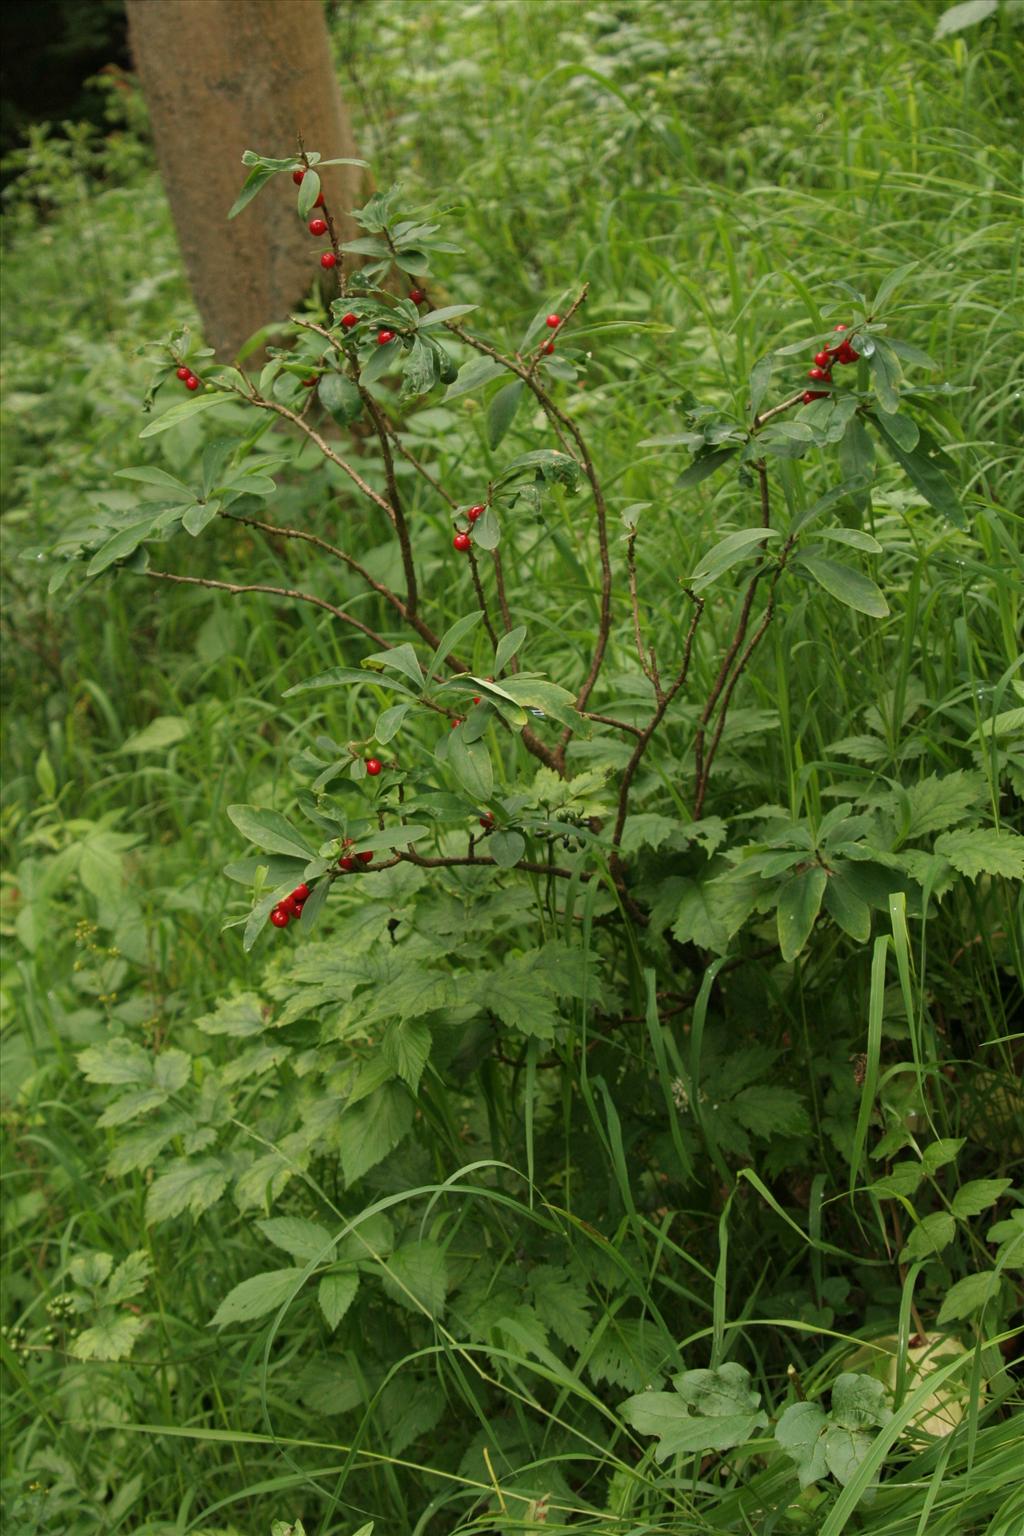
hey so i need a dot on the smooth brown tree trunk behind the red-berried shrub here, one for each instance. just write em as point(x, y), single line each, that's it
point(222, 78)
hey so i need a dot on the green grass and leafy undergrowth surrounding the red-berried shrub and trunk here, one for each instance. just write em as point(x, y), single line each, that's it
point(656, 1208)
